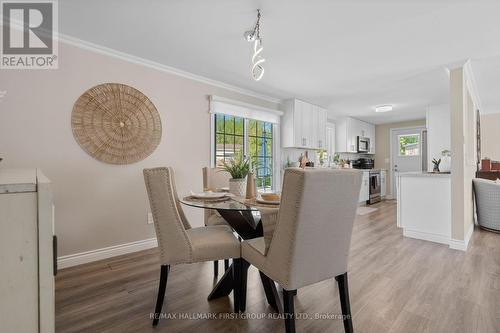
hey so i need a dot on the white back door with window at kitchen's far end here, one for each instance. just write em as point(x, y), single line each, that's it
point(408, 152)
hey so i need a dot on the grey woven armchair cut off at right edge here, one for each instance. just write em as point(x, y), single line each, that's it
point(487, 193)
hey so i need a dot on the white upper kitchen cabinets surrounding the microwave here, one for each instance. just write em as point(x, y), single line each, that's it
point(347, 131)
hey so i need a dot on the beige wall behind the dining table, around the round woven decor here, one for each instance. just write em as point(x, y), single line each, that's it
point(97, 204)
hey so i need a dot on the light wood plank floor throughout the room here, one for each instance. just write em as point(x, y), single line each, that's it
point(396, 285)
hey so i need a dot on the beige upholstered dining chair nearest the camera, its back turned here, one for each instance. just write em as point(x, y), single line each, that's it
point(312, 236)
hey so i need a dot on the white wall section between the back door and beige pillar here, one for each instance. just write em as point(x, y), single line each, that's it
point(438, 132)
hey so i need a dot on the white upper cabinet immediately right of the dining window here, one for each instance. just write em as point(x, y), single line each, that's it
point(303, 125)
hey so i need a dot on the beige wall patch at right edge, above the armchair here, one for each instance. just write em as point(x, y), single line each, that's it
point(490, 136)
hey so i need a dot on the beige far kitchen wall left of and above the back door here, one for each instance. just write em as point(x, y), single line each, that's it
point(382, 146)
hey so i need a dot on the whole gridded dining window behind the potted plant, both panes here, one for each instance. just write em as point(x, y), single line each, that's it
point(251, 137)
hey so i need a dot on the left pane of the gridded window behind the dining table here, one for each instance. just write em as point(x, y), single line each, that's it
point(229, 137)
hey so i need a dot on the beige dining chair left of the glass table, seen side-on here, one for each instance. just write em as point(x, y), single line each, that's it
point(177, 241)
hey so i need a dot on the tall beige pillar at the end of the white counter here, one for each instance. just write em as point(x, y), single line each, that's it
point(463, 143)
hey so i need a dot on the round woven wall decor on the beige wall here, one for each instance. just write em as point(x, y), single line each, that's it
point(116, 124)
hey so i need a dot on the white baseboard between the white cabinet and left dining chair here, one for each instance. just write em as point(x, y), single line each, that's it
point(104, 253)
